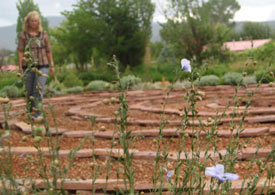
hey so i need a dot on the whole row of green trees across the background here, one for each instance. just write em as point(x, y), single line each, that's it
point(95, 30)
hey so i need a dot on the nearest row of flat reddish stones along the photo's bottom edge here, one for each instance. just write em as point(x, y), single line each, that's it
point(114, 185)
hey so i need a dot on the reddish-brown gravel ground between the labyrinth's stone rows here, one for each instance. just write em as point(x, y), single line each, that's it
point(155, 101)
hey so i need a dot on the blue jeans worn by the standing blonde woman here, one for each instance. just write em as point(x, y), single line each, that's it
point(35, 87)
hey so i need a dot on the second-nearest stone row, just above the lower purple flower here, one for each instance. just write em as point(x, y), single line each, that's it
point(245, 154)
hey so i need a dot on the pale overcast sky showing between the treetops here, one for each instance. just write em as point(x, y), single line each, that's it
point(251, 10)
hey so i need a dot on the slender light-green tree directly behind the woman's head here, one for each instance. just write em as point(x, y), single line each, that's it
point(24, 7)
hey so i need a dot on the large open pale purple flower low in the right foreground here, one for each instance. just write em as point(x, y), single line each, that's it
point(218, 172)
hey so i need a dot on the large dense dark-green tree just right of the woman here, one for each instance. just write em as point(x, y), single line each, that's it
point(110, 27)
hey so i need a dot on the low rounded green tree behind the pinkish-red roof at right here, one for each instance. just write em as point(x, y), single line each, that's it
point(256, 30)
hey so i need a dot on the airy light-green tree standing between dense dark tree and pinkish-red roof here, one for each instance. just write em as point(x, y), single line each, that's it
point(196, 25)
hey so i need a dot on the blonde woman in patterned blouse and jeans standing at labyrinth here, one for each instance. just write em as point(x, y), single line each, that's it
point(42, 58)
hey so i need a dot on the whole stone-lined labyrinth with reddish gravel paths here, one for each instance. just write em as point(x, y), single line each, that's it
point(224, 126)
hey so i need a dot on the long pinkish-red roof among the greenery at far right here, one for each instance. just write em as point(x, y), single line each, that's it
point(243, 45)
